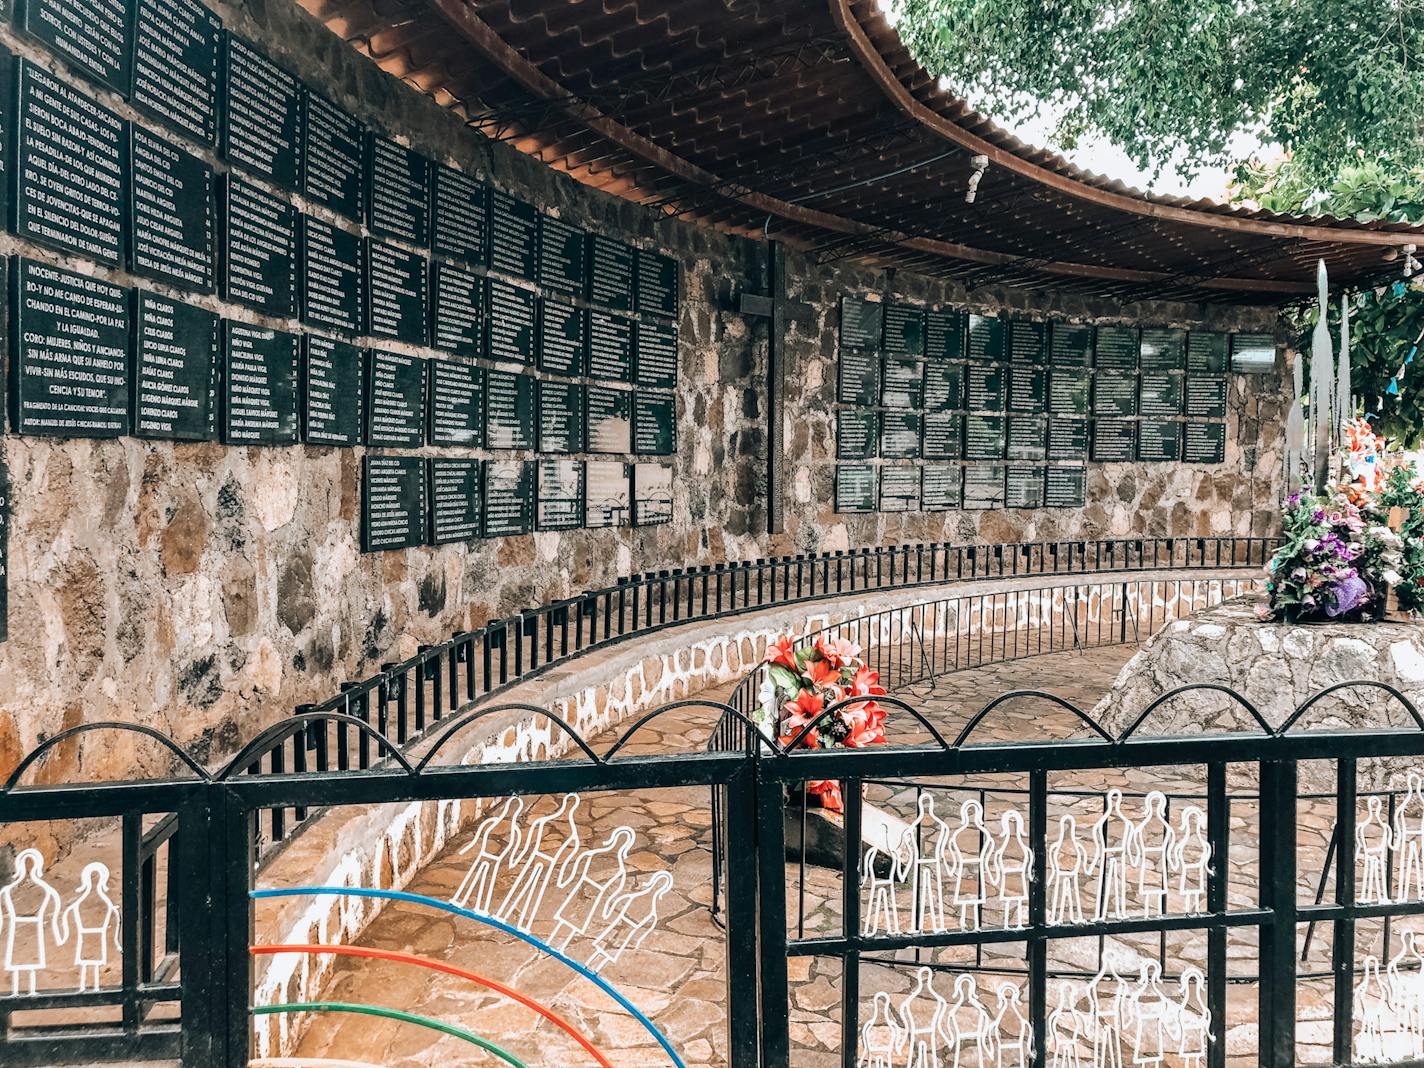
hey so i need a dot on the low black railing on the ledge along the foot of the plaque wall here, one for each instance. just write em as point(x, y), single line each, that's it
point(407, 700)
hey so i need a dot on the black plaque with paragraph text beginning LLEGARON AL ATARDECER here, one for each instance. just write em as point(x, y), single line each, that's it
point(69, 167)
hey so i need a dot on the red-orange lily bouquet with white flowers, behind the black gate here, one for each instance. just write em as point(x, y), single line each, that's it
point(802, 683)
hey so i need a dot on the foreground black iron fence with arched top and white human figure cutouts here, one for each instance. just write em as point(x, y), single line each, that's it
point(184, 988)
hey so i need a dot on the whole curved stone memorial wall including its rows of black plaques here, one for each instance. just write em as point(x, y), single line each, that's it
point(303, 374)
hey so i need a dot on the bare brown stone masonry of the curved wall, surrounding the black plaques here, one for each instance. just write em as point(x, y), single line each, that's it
point(206, 590)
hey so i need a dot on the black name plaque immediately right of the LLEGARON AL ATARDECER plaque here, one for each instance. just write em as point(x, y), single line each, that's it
point(170, 214)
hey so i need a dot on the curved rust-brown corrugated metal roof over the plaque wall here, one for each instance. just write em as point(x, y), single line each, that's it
point(811, 119)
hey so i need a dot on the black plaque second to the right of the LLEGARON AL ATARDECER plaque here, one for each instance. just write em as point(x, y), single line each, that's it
point(260, 250)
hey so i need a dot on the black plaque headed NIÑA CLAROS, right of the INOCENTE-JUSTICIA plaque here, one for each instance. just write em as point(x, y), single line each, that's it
point(176, 371)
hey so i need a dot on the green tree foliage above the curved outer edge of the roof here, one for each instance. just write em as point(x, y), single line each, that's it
point(1174, 80)
